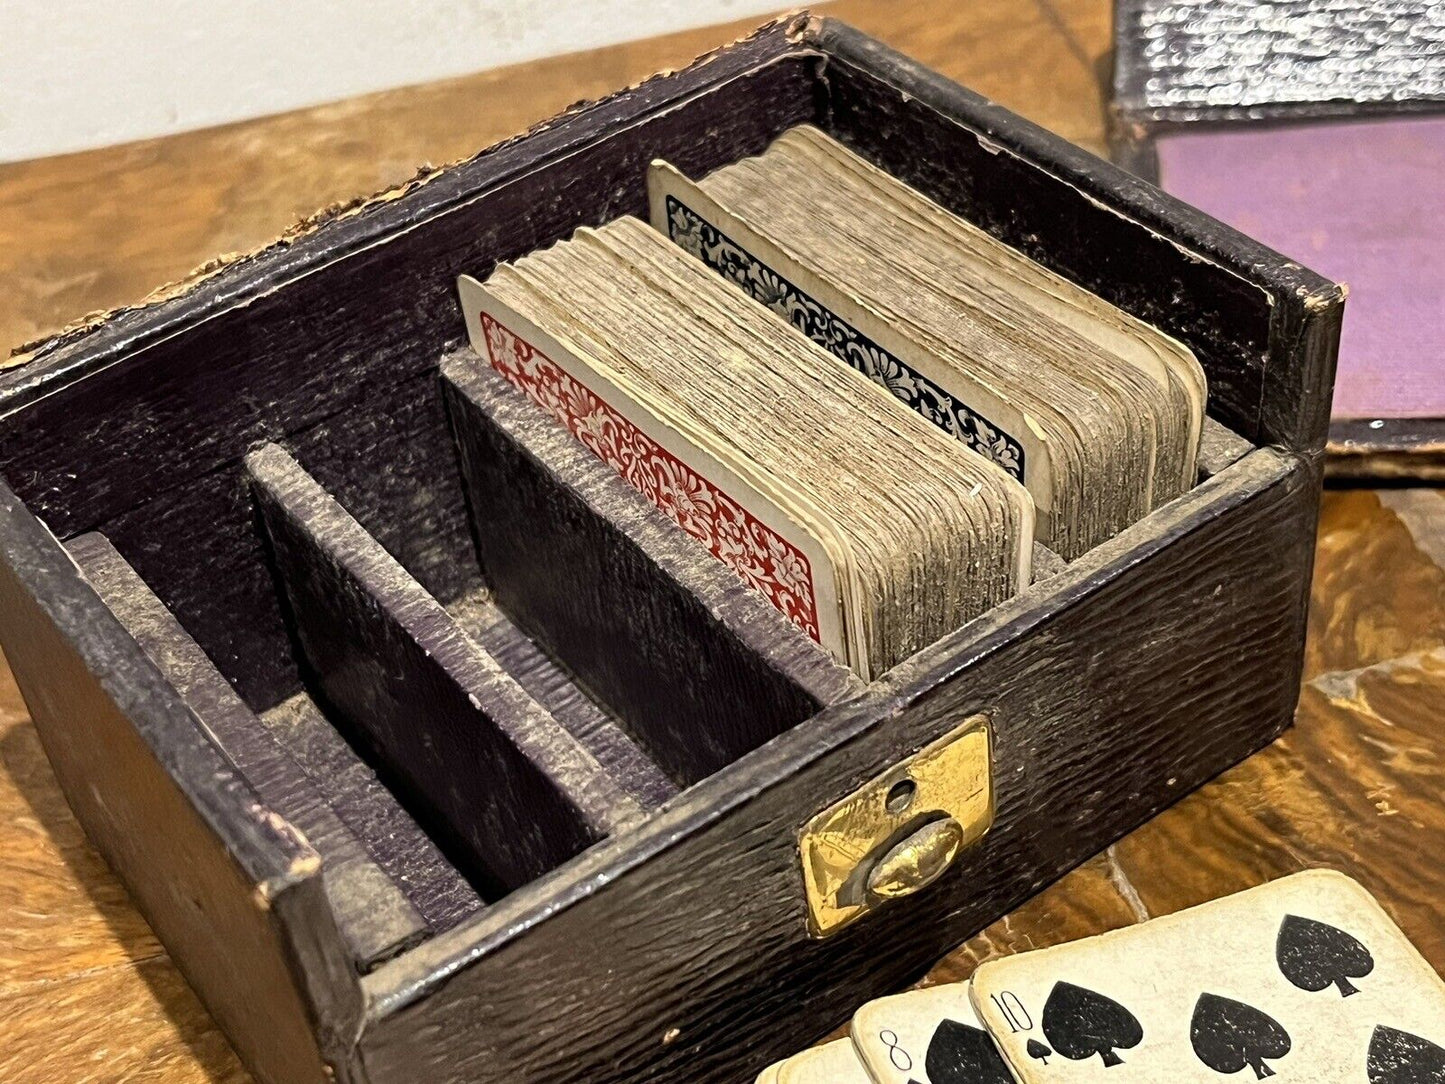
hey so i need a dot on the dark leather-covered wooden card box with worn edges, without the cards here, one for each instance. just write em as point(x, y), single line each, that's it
point(268, 551)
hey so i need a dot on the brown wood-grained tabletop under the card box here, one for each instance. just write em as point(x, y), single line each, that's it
point(86, 991)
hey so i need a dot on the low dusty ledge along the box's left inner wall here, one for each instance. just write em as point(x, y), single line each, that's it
point(374, 914)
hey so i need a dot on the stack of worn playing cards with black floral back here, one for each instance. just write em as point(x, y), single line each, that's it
point(1095, 411)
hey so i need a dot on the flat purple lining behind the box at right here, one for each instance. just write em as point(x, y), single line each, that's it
point(1358, 202)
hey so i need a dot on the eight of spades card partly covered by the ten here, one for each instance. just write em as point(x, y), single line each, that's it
point(927, 1037)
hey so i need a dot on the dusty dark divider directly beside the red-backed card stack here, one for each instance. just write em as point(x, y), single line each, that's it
point(697, 666)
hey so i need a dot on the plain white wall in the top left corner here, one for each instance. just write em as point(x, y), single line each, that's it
point(79, 74)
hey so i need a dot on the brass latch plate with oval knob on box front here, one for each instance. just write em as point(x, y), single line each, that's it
point(900, 832)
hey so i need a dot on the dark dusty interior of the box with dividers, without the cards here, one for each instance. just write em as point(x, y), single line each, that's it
point(431, 631)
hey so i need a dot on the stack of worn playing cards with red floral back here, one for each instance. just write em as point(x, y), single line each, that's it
point(868, 527)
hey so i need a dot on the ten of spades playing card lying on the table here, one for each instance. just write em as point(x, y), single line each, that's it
point(1303, 979)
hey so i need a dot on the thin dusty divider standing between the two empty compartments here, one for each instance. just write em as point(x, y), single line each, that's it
point(499, 784)
